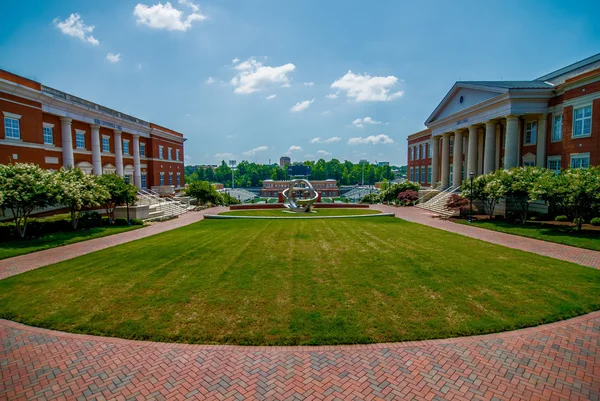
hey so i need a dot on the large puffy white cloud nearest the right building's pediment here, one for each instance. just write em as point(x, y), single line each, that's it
point(365, 88)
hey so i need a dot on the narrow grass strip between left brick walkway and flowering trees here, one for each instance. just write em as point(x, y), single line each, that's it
point(9, 249)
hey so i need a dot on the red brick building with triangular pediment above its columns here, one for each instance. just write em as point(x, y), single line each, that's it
point(481, 126)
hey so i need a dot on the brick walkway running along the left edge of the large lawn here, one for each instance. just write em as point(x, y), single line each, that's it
point(19, 264)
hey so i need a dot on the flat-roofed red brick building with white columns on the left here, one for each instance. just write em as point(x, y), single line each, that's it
point(51, 128)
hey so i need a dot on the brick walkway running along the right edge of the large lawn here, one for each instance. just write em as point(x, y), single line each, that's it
point(567, 253)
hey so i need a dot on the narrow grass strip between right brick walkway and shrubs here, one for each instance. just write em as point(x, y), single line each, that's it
point(560, 234)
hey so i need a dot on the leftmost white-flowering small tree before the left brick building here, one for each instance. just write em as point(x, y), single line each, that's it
point(24, 188)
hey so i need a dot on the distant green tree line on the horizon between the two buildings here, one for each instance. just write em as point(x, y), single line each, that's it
point(249, 174)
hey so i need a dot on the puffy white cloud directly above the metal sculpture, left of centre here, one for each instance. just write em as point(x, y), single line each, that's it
point(254, 76)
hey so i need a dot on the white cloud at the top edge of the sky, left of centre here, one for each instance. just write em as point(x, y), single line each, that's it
point(167, 17)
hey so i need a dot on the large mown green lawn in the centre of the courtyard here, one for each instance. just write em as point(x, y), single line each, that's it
point(300, 282)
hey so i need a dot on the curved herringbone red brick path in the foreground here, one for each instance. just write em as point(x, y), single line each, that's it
point(555, 361)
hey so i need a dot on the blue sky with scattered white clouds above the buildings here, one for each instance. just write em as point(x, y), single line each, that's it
point(209, 69)
